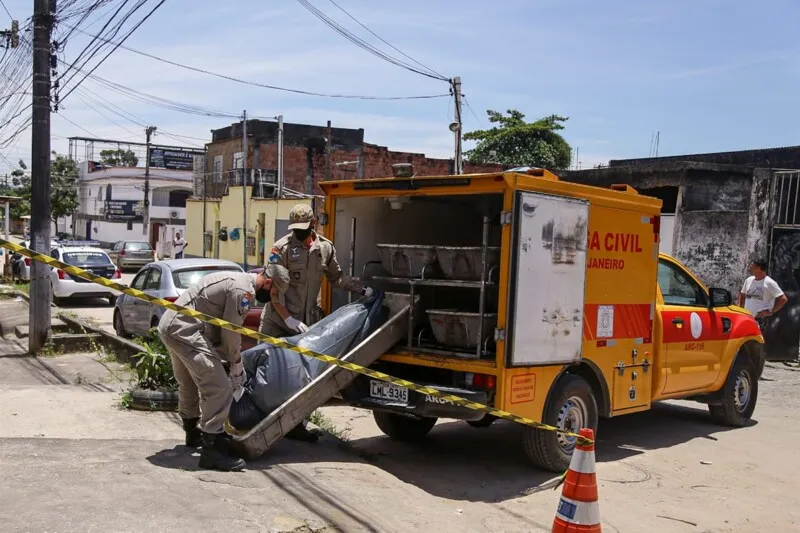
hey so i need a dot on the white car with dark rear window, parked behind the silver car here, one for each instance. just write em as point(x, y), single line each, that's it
point(88, 258)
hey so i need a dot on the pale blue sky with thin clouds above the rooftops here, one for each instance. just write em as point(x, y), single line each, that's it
point(709, 75)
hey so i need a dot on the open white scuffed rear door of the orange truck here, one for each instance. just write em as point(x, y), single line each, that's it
point(548, 278)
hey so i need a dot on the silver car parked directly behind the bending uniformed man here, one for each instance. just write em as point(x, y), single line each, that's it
point(162, 279)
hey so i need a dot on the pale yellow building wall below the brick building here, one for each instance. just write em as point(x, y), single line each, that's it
point(228, 212)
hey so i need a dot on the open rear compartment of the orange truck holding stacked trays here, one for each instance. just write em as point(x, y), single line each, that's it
point(444, 251)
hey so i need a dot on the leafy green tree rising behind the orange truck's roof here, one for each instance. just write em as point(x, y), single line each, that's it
point(514, 142)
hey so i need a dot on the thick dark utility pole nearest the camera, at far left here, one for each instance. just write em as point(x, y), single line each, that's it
point(40, 175)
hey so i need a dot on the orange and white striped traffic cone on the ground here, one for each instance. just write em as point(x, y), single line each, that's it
point(578, 509)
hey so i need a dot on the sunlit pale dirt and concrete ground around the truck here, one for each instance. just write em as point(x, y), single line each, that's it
point(71, 460)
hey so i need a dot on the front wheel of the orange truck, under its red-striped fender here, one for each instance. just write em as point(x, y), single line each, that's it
point(739, 396)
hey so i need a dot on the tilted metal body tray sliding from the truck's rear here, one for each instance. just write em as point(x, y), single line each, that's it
point(255, 442)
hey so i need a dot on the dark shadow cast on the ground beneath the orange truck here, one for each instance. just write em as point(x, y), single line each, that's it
point(460, 462)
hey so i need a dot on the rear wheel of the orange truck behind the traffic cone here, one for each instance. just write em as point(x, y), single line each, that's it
point(572, 406)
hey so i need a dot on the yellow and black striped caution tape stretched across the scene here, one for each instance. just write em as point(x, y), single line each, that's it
point(457, 400)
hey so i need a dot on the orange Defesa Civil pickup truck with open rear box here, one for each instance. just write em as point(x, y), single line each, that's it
point(540, 297)
